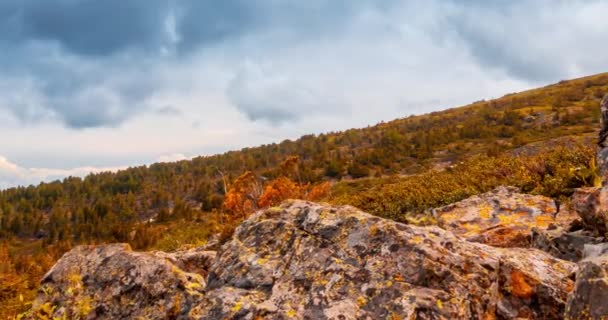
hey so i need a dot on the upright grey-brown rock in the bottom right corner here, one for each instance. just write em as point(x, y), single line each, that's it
point(589, 300)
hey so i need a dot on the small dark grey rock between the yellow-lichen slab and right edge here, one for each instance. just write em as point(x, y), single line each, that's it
point(562, 244)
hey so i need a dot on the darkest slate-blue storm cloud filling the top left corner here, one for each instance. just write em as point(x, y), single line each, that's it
point(85, 27)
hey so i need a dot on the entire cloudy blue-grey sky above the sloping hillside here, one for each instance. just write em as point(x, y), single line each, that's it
point(89, 85)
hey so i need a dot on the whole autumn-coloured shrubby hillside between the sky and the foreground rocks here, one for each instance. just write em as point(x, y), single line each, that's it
point(396, 169)
